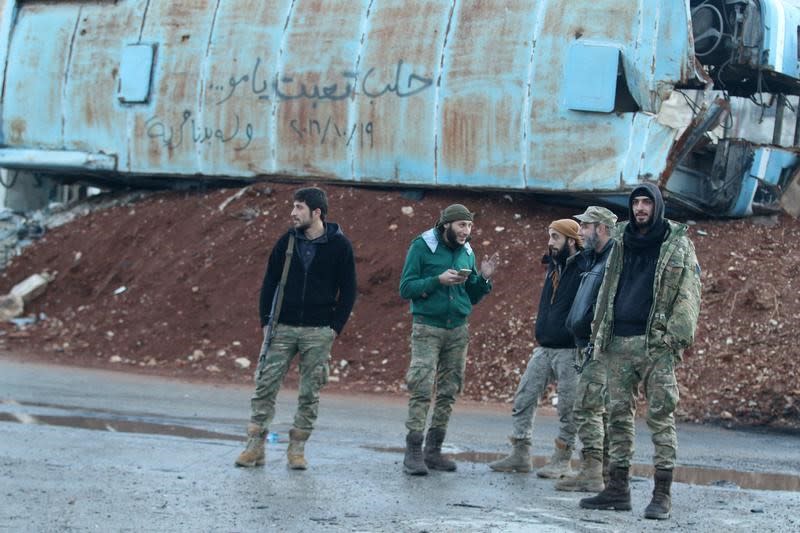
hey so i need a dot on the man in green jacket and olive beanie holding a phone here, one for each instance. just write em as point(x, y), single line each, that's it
point(440, 279)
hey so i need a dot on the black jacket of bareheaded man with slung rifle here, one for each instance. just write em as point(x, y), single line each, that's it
point(323, 296)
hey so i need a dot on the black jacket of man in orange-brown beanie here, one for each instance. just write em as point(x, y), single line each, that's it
point(551, 330)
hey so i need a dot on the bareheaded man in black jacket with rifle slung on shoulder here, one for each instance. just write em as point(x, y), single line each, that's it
point(318, 296)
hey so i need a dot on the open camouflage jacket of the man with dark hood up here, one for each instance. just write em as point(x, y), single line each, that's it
point(676, 295)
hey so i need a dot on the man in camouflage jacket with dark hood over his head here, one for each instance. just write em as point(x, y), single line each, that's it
point(646, 315)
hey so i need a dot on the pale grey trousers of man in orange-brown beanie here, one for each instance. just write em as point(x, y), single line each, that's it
point(547, 365)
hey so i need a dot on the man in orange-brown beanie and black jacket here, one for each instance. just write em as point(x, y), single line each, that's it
point(552, 360)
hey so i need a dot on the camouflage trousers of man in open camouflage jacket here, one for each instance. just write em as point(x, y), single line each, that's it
point(627, 365)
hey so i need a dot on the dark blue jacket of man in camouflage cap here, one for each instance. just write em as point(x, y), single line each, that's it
point(579, 319)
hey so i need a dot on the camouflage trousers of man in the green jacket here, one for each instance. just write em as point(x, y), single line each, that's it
point(438, 360)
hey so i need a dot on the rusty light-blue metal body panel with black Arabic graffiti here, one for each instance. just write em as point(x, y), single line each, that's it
point(422, 92)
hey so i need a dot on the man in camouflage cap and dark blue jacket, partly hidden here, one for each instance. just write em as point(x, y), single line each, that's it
point(589, 413)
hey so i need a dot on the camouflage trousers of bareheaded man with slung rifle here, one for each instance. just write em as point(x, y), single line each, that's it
point(313, 344)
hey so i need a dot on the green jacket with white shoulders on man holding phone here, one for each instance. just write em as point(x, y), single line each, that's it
point(431, 302)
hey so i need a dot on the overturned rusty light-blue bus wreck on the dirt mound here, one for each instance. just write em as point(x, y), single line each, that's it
point(583, 98)
